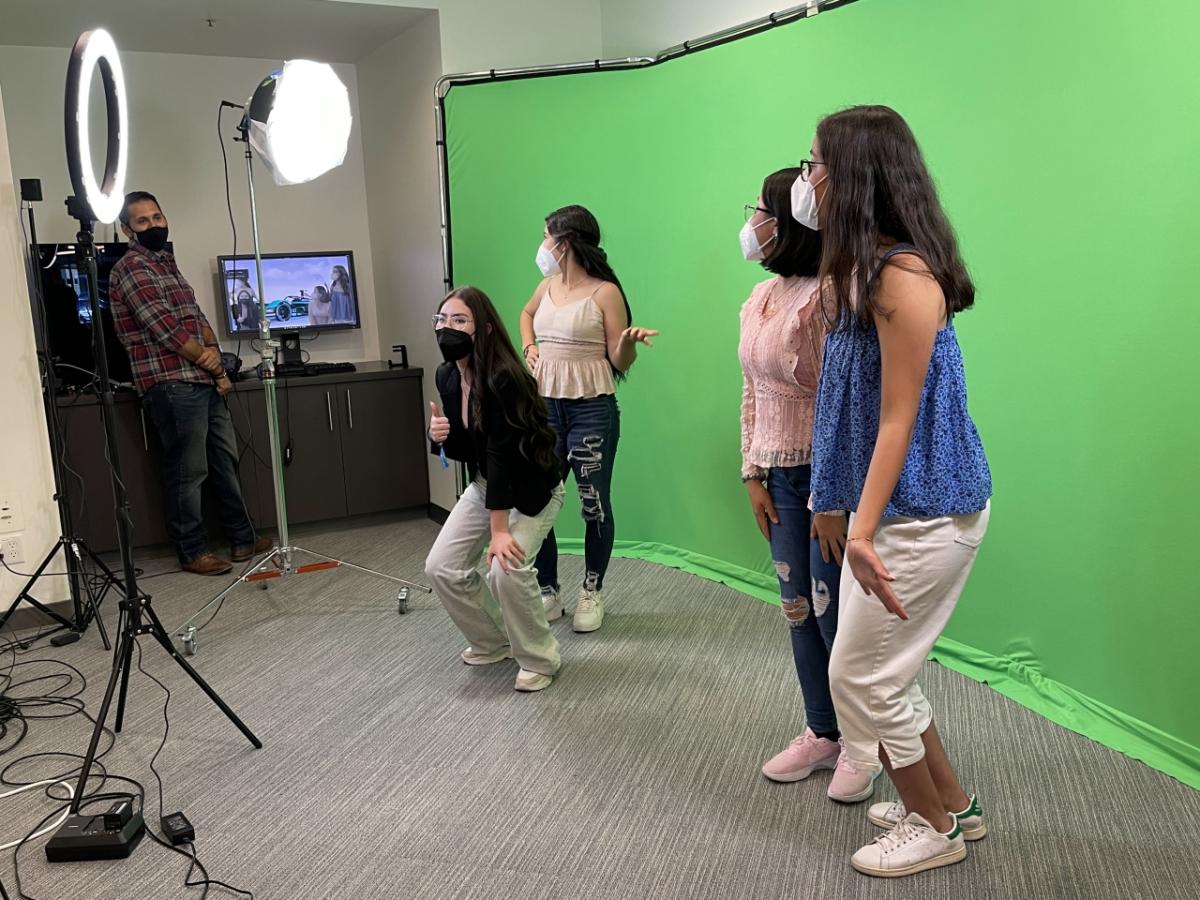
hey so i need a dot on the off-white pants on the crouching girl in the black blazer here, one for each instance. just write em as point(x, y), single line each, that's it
point(507, 611)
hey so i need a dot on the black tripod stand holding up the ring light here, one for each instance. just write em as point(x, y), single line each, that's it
point(137, 616)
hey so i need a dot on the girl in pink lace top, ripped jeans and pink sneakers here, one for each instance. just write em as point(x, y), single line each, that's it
point(783, 335)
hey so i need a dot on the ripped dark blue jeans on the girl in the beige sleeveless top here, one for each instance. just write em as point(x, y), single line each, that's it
point(589, 431)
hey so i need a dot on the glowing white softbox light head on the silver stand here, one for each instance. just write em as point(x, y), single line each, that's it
point(299, 122)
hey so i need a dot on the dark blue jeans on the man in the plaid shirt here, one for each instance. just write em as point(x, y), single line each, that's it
point(197, 445)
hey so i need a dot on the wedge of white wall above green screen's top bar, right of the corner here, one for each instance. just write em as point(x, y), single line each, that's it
point(643, 28)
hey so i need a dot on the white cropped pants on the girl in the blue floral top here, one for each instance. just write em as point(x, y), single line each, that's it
point(877, 656)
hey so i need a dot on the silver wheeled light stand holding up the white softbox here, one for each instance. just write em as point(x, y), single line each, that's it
point(280, 562)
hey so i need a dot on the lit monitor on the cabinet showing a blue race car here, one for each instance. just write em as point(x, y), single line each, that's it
point(303, 292)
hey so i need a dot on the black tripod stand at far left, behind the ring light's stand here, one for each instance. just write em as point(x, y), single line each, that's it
point(76, 551)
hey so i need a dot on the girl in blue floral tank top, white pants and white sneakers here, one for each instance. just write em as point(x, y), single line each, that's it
point(895, 445)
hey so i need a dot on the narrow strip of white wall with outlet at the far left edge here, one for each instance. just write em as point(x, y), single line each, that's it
point(26, 477)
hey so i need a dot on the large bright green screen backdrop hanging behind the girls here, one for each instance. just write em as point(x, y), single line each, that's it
point(1065, 142)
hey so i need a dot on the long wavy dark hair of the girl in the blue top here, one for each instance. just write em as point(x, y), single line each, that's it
point(880, 188)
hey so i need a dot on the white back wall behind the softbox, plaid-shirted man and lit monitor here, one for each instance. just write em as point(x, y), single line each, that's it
point(175, 154)
